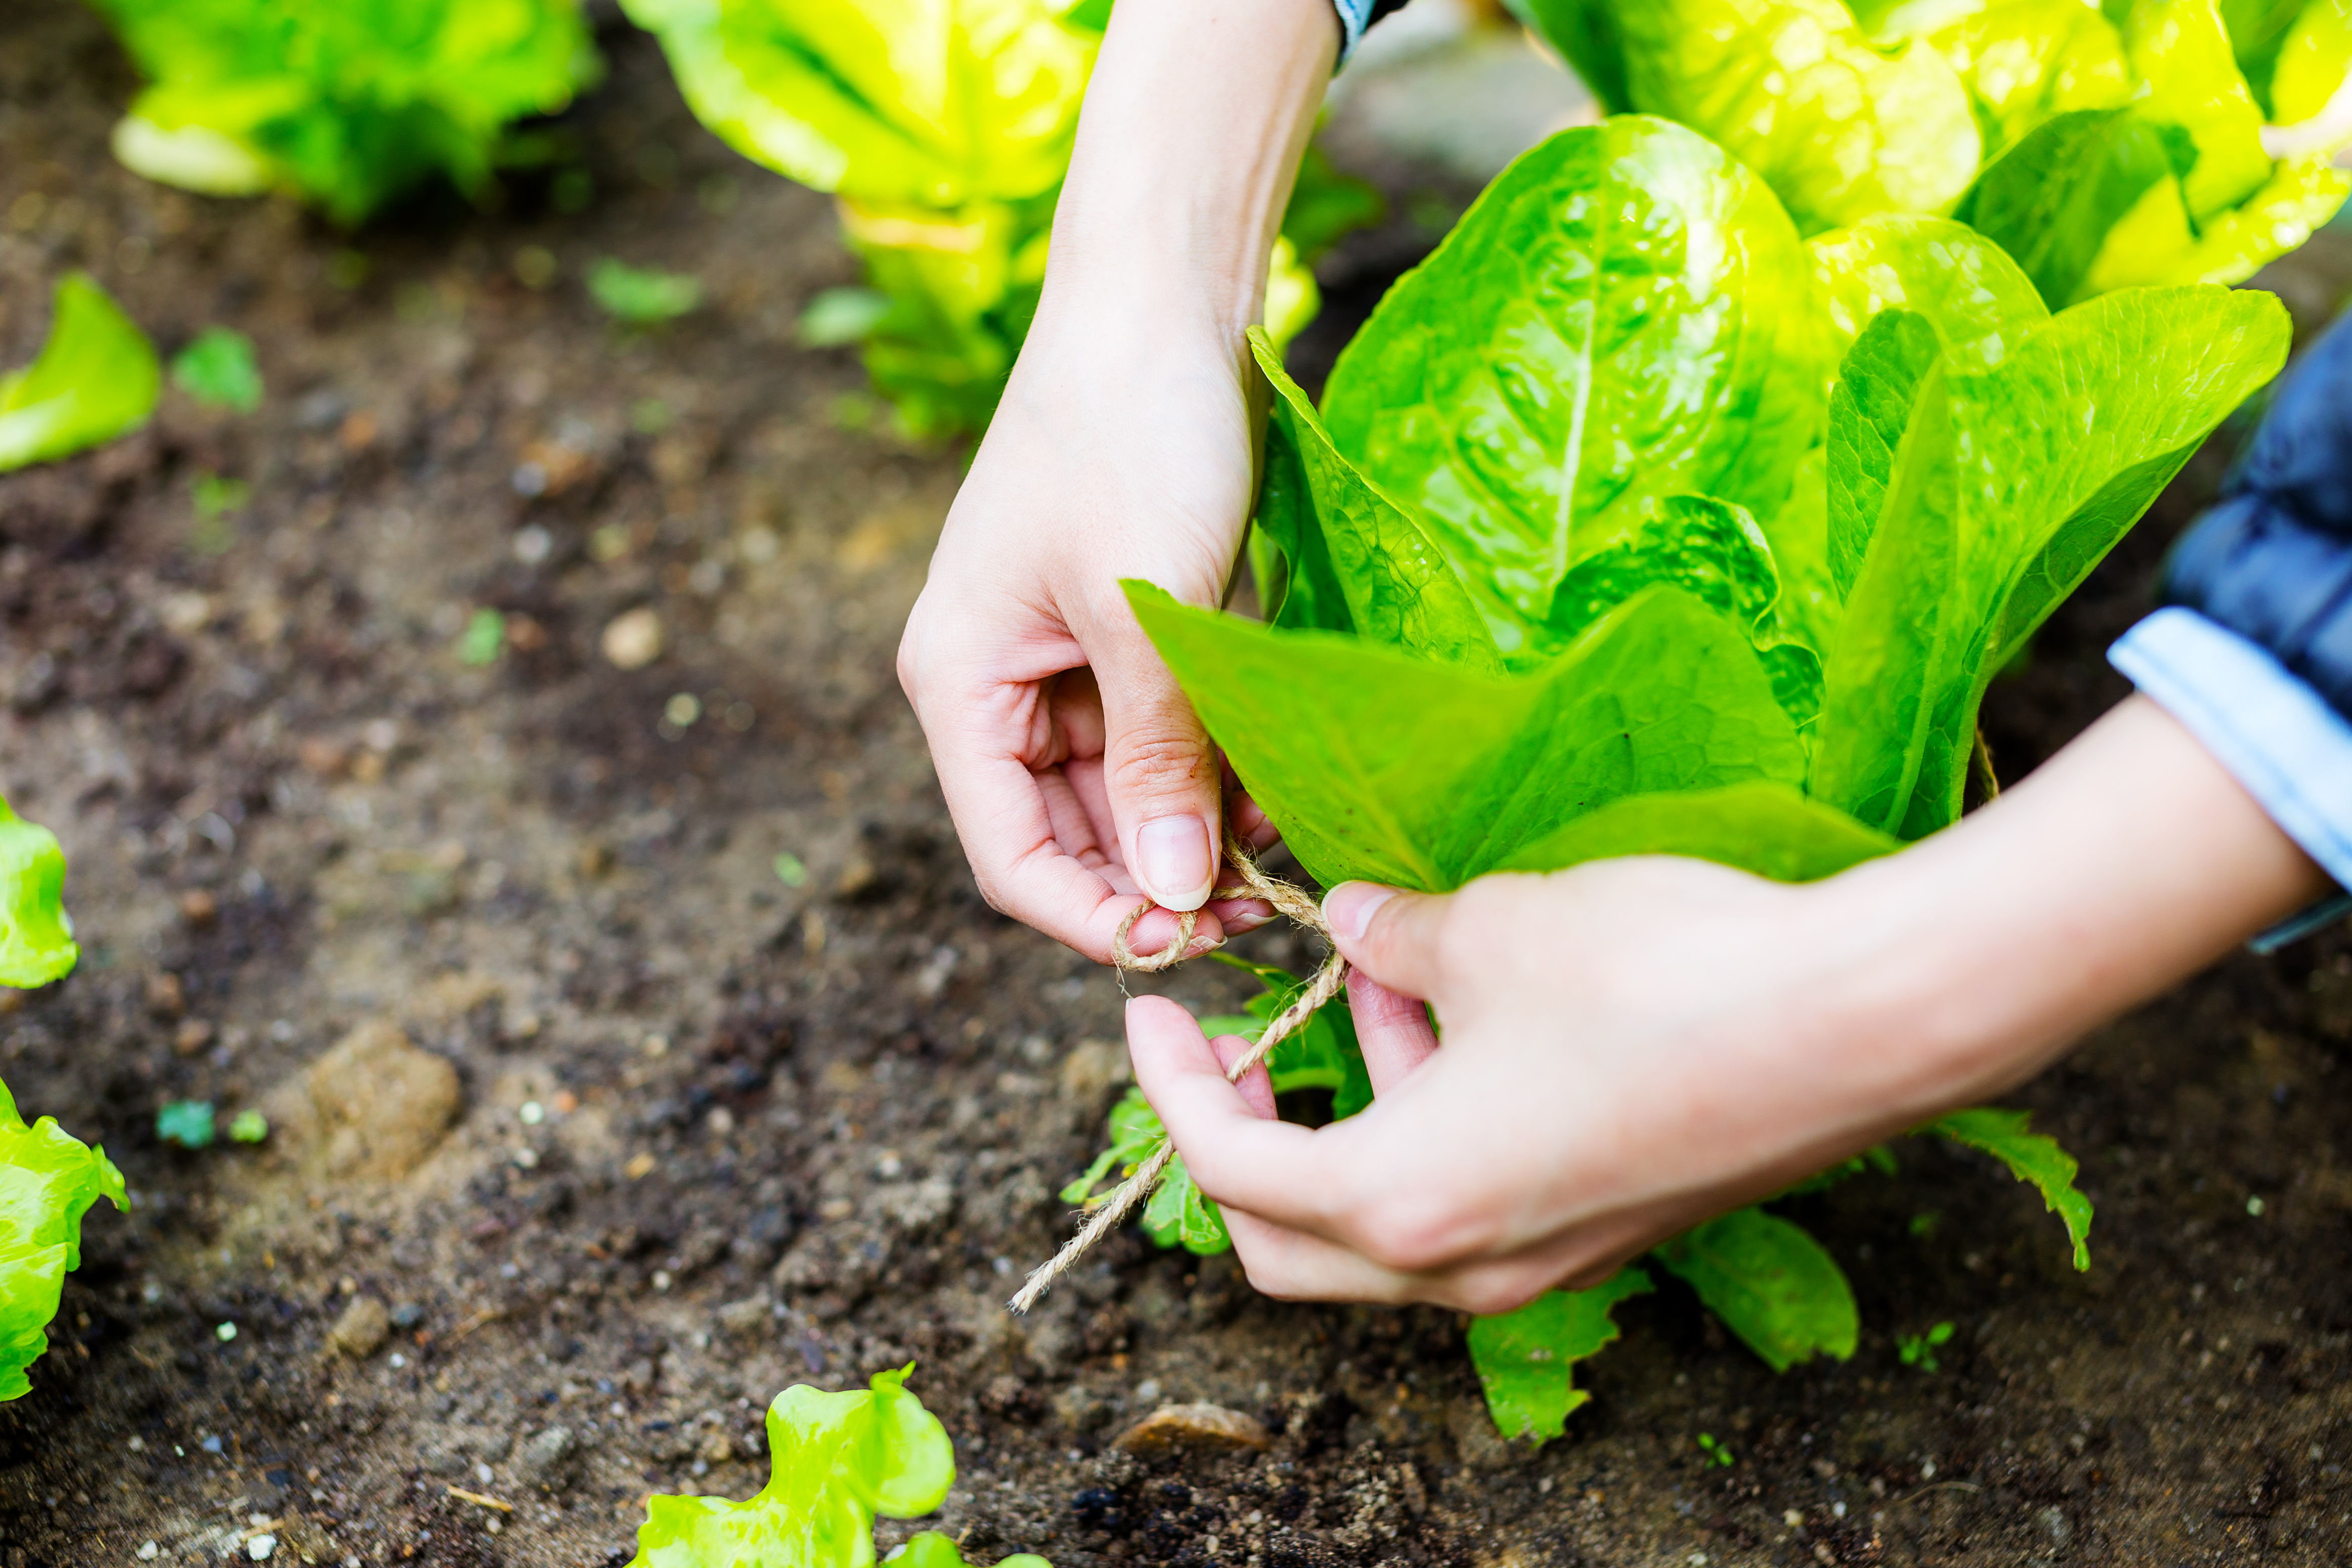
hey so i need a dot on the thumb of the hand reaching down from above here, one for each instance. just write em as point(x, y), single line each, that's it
point(1158, 770)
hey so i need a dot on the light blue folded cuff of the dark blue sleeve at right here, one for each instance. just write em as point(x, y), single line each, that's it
point(2273, 732)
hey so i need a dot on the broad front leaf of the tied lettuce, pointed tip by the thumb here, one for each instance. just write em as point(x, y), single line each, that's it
point(1426, 777)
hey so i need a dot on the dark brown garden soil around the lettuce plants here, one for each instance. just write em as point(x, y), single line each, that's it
point(592, 1132)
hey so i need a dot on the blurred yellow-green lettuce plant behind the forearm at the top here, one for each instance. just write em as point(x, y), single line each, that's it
point(944, 130)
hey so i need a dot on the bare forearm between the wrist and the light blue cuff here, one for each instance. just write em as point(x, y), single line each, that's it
point(2123, 866)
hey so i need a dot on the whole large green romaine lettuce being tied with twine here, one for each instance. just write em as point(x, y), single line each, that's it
point(1633, 523)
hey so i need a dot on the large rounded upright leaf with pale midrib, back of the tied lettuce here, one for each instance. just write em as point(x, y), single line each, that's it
point(1624, 316)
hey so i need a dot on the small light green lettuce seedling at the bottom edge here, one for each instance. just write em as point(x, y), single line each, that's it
point(838, 1463)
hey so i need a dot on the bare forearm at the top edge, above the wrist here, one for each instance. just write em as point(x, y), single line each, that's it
point(1191, 138)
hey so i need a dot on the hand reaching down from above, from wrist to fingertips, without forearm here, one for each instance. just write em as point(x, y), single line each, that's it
point(1071, 760)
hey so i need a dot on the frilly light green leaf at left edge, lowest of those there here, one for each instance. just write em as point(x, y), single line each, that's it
point(48, 1184)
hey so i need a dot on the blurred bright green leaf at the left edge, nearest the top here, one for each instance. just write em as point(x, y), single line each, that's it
point(95, 380)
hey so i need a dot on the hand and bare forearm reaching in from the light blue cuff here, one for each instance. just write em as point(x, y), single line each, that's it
point(1633, 1047)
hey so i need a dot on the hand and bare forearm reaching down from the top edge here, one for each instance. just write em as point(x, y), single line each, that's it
point(1074, 765)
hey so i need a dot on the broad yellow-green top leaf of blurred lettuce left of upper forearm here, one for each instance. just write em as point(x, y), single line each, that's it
point(886, 102)
